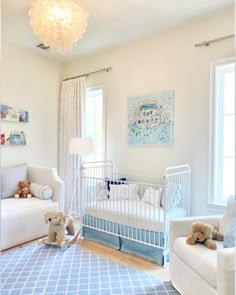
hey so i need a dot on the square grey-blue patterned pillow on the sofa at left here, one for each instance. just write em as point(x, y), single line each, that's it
point(9, 179)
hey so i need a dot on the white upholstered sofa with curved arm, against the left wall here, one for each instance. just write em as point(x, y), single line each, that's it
point(22, 220)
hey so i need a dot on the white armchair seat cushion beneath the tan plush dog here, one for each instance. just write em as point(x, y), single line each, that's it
point(201, 259)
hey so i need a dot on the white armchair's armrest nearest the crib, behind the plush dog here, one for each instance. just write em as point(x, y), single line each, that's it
point(182, 227)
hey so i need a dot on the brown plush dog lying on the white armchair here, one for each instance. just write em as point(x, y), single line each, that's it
point(205, 233)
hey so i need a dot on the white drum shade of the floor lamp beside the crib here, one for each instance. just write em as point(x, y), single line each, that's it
point(81, 146)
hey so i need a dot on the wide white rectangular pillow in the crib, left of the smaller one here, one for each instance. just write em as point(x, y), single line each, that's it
point(124, 192)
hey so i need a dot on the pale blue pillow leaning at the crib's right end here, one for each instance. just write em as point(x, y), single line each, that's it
point(172, 196)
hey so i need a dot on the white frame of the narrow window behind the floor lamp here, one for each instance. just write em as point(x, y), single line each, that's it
point(104, 139)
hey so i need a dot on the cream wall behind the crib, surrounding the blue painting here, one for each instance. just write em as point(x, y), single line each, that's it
point(166, 61)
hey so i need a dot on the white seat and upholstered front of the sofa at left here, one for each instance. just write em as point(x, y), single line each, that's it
point(22, 220)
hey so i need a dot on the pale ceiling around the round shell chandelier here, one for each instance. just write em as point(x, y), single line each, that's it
point(111, 22)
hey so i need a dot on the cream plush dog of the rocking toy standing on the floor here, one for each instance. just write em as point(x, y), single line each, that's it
point(58, 223)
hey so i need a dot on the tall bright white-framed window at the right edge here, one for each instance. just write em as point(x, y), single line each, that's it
point(222, 132)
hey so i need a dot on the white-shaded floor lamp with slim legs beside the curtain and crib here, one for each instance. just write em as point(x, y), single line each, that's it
point(79, 146)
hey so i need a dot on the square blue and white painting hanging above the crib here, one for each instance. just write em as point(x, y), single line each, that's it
point(150, 118)
